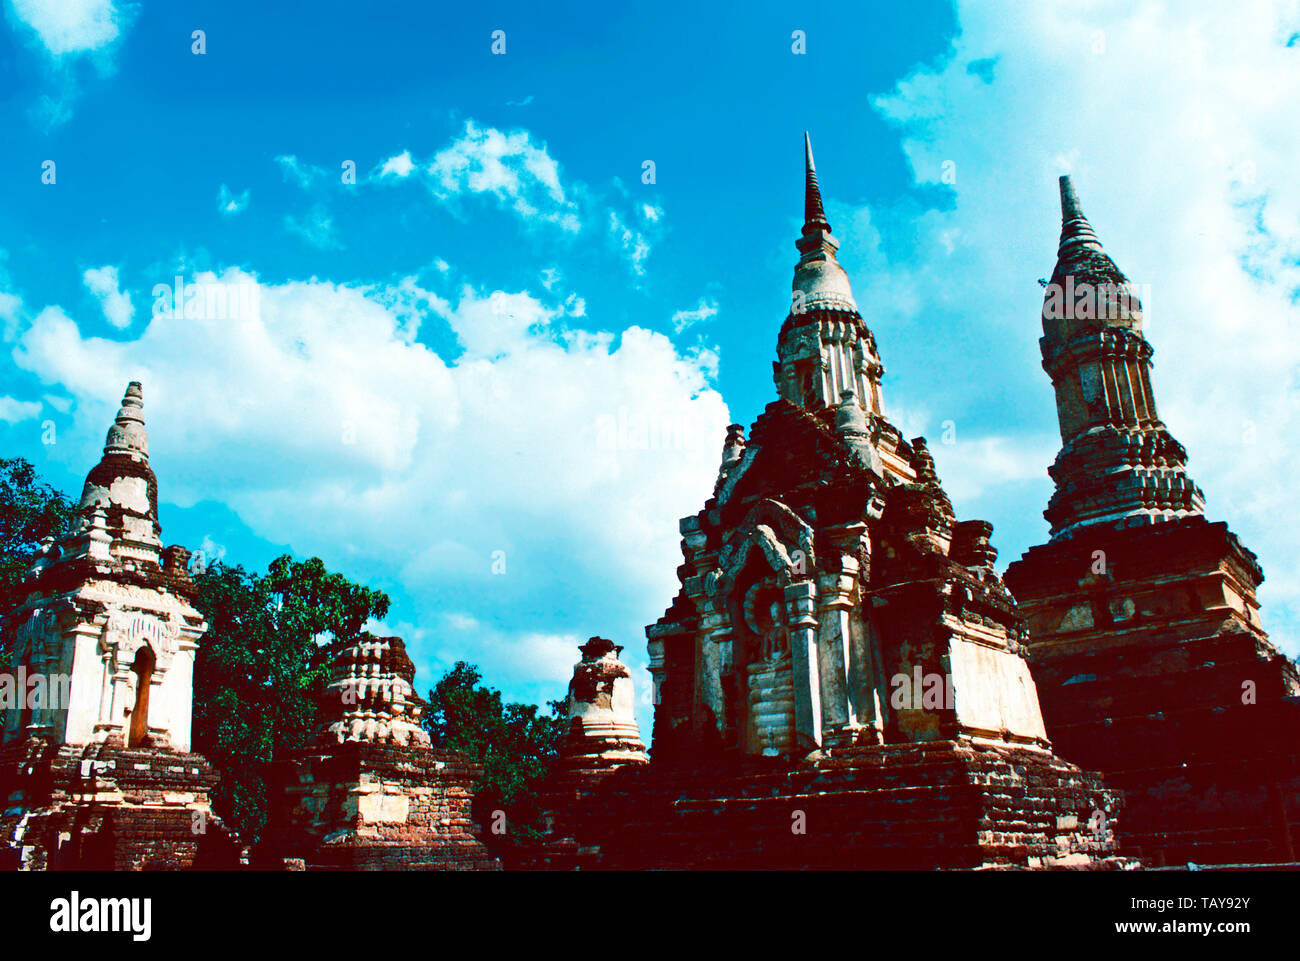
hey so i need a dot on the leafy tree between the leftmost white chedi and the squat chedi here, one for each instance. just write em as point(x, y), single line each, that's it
point(263, 666)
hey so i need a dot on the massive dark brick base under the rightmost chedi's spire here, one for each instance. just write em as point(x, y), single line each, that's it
point(1159, 674)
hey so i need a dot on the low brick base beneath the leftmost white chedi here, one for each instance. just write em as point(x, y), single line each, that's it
point(107, 808)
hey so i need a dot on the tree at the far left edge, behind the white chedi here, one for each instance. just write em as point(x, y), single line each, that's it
point(31, 510)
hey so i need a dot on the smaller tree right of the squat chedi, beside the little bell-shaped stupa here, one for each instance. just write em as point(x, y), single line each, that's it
point(513, 742)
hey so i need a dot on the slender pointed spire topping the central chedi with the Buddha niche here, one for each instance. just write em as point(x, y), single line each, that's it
point(825, 349)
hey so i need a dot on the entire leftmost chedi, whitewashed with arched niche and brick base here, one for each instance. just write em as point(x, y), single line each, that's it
point(96, 768)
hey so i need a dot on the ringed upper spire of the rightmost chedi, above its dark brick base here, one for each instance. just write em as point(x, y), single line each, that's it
point(1119, 464)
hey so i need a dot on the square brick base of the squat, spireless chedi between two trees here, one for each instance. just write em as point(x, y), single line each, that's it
point(374, 807)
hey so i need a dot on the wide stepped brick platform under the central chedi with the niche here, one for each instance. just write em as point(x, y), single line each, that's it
point(902, 807)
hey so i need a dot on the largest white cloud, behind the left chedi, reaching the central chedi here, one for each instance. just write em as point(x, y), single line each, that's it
point(543, 471)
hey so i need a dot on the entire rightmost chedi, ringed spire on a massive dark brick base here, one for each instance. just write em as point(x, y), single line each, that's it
point(1145, 629)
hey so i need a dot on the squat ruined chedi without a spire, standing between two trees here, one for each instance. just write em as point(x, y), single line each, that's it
point(370, 794)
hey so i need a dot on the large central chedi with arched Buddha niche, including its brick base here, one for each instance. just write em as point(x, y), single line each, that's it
point(842, 679)
